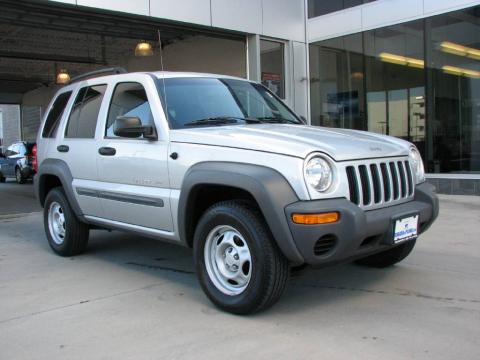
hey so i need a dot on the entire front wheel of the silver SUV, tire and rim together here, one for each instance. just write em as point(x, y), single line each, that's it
point(239, 265)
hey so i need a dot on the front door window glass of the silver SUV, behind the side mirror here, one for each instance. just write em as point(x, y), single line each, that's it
point(130, 100)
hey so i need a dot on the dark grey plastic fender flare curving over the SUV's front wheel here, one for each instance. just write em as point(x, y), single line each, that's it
point(269, 188)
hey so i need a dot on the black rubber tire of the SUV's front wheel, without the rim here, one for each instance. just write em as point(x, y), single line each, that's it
point(269, 269)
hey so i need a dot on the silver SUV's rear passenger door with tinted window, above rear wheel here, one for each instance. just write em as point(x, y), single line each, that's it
point(76, 144)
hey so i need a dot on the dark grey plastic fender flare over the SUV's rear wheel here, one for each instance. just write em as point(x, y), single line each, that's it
point(60, 169)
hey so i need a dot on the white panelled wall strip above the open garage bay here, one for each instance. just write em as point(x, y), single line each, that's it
point(284, 19)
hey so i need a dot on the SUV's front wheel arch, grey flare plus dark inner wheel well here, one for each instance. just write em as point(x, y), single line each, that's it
point(226, 180)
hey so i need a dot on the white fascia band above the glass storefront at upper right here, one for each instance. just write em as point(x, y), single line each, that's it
point(378, 14)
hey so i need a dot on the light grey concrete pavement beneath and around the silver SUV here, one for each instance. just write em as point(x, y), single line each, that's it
point(134, 298)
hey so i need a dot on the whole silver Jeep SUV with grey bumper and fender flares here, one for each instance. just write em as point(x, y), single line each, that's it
point(223, 166)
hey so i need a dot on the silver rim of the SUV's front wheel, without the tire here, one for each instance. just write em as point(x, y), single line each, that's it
point(228, 260)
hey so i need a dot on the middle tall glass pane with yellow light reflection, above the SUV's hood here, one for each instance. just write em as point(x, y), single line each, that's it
point(395, 66)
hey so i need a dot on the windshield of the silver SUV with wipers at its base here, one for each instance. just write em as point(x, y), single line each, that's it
point(212, 102)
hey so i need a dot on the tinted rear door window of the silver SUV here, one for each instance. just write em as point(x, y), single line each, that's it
point(83, 117)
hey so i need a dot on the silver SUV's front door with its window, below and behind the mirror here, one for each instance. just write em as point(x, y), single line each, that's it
point(133, 172)
